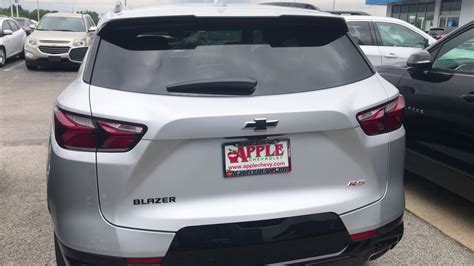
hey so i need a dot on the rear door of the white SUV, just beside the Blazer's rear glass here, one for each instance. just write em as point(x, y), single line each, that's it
point(361, 32)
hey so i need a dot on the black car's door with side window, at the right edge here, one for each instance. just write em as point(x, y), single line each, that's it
point(440, 104)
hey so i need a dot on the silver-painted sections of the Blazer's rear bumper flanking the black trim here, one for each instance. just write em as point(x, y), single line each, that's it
point(80, 225)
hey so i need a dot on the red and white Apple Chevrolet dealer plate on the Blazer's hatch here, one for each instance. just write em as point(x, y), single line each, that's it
point(257, 157)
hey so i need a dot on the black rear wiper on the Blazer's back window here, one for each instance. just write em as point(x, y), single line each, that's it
point(222, 86)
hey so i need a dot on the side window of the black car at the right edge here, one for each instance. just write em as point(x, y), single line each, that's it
point(457, 54)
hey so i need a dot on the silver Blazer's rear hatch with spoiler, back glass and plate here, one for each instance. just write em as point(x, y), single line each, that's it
point(247, 119)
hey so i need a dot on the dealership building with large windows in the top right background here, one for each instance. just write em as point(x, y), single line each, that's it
point(426, 14)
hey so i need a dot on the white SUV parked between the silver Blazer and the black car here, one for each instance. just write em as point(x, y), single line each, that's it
point(387, 40)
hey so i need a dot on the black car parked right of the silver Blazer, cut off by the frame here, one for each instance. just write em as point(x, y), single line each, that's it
point(438, 85)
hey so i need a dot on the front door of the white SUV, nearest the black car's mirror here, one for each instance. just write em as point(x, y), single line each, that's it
point(397, 42)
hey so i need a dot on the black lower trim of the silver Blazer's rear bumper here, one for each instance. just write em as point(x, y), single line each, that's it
point(313, 239)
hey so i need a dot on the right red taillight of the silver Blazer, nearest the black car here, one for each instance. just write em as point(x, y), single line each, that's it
point(384, 118)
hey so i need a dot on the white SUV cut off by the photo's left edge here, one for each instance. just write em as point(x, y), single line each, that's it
point(12, 39)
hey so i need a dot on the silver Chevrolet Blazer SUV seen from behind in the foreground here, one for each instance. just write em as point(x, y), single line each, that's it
point(225, 135)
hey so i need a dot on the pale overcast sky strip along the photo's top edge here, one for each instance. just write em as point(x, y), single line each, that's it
point(103, 5)
